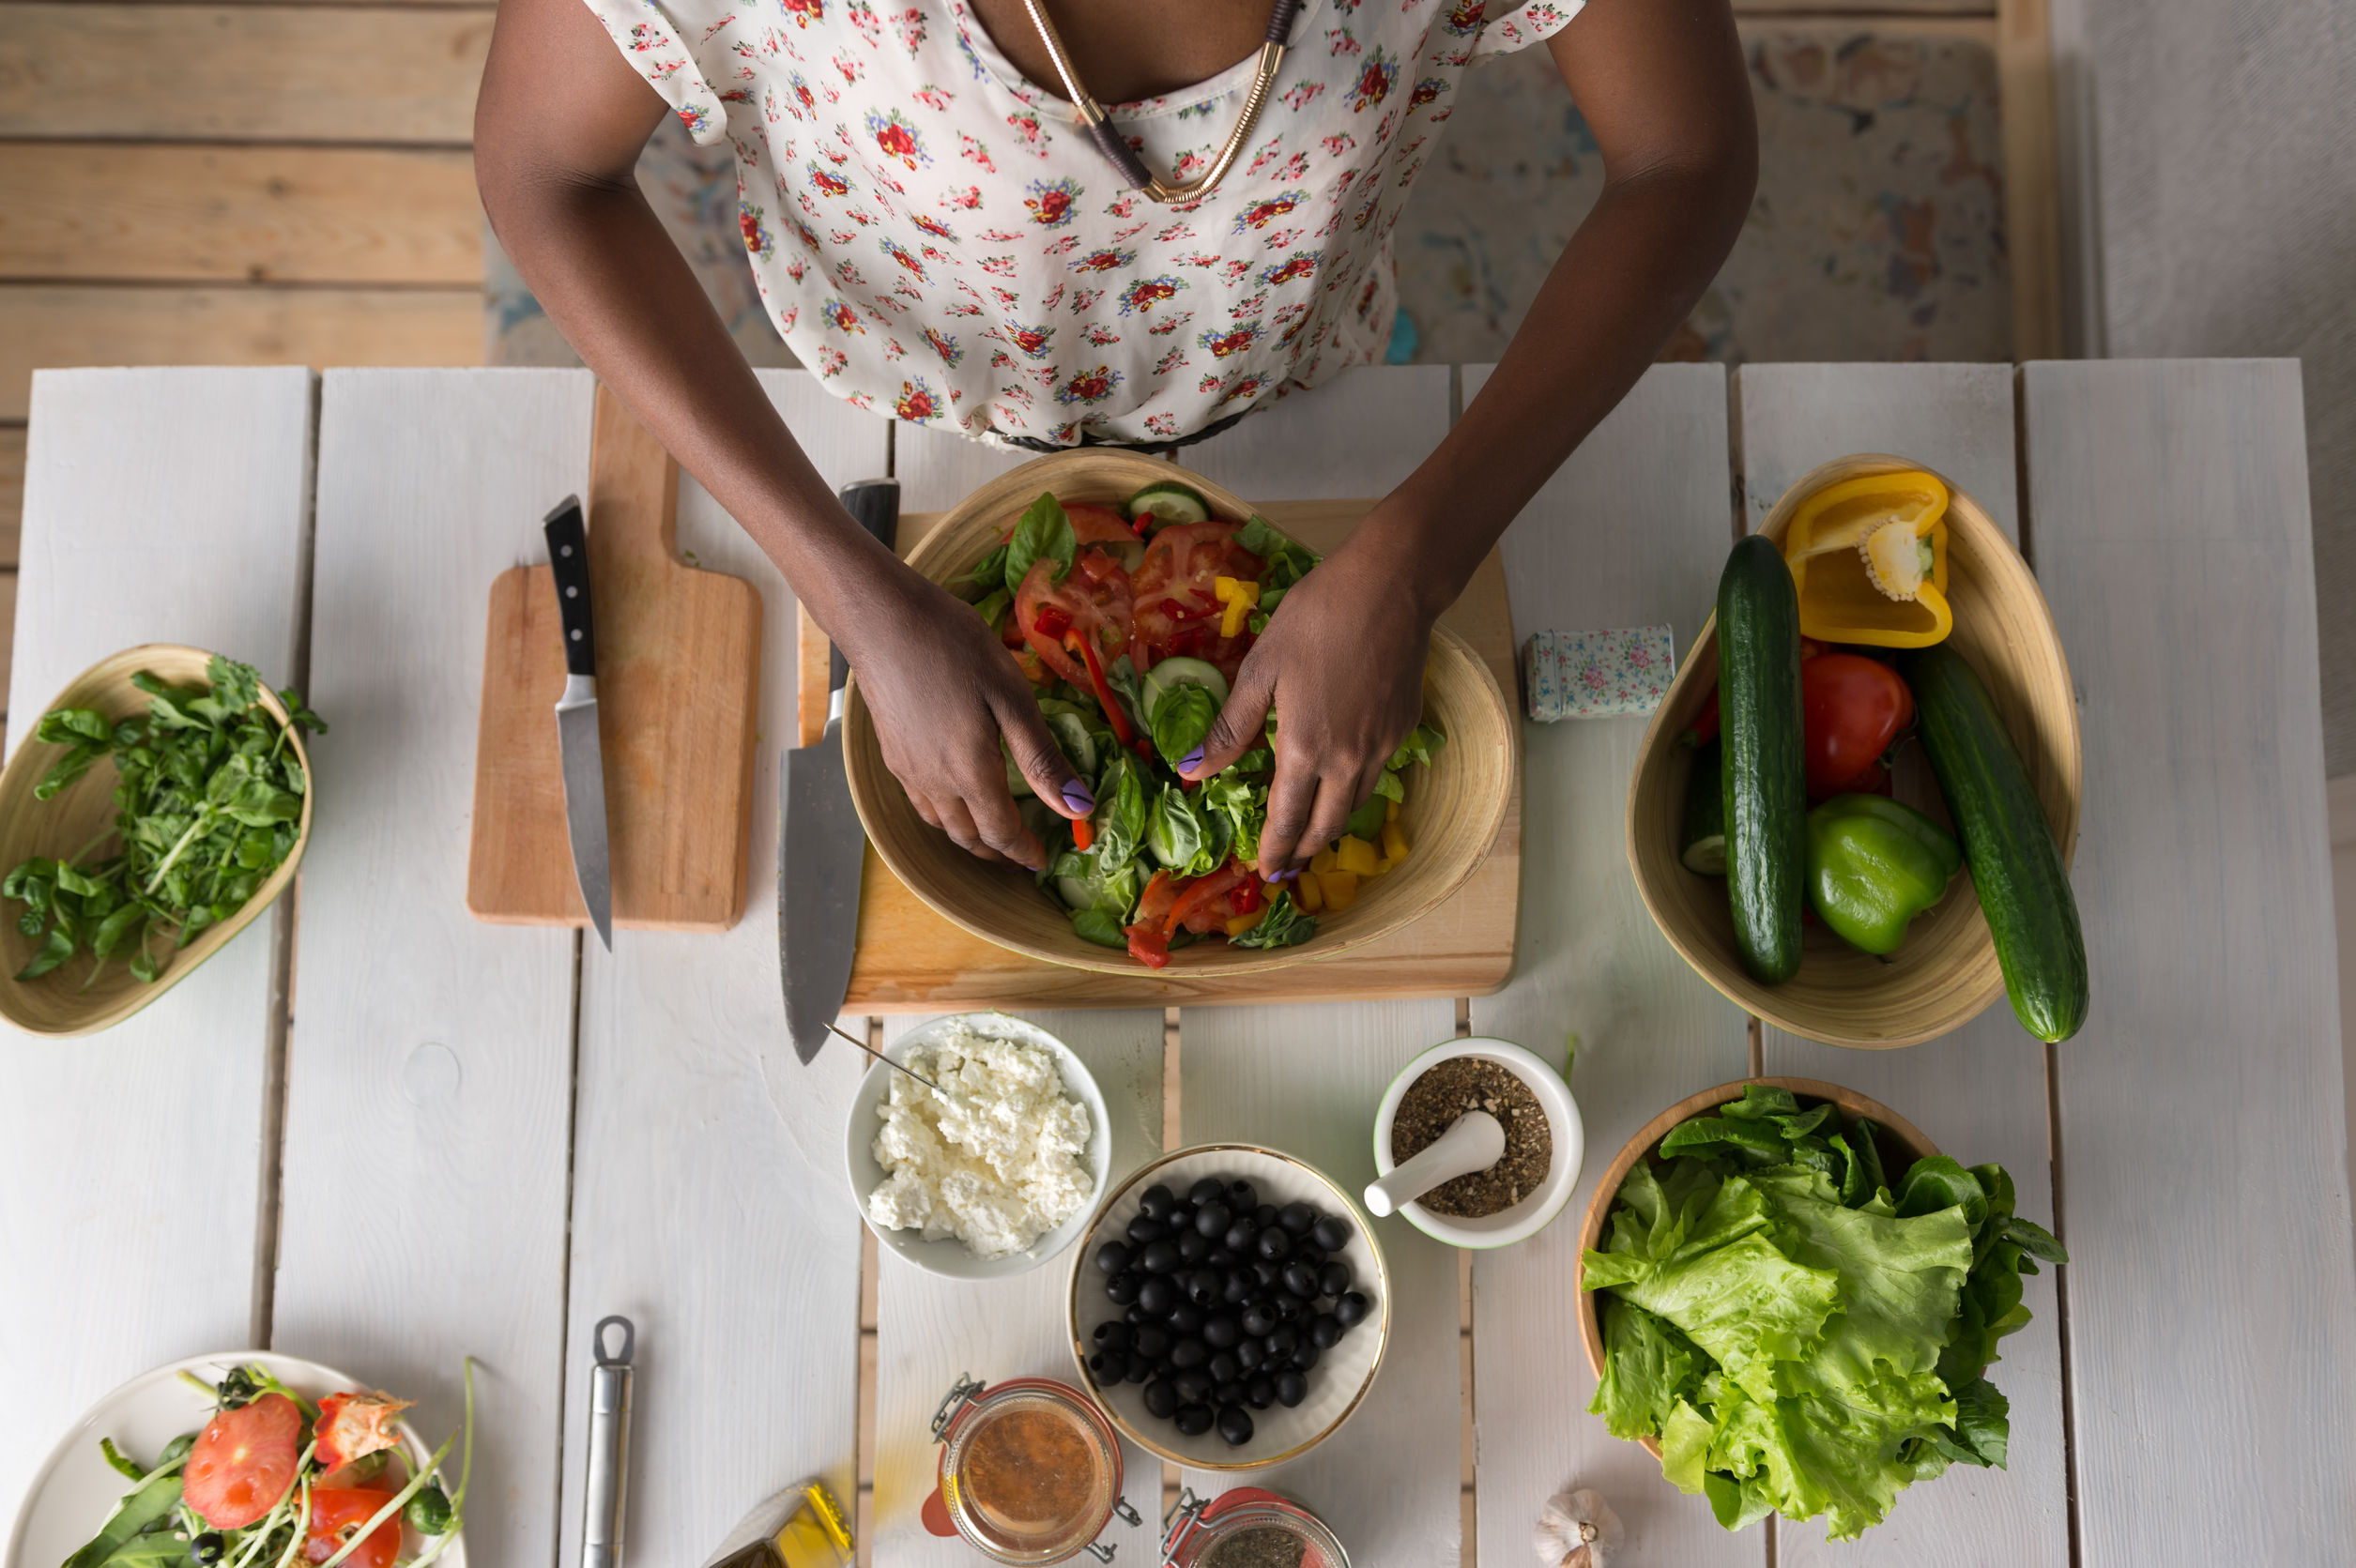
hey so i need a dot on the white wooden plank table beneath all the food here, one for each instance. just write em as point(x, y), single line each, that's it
point(385, 1136)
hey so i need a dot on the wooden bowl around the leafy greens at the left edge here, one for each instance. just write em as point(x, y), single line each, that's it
point(62, 1004)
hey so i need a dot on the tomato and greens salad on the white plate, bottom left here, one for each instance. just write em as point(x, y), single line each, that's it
point(277, 1480)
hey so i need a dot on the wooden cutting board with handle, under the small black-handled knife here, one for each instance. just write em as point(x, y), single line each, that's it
point(680, 686)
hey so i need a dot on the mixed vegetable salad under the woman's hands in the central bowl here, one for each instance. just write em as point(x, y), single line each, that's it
point(1130, 625)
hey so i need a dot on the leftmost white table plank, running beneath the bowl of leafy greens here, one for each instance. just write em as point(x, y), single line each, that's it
point(102, 1209)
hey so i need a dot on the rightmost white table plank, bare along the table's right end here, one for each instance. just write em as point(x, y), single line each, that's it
point(2213, 1298)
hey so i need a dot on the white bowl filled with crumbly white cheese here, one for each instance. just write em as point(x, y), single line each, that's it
point(993, 1176)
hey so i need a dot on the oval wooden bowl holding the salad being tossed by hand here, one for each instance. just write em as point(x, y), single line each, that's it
point(1448, 813)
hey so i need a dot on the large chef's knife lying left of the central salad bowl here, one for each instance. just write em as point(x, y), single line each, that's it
point(821, 842)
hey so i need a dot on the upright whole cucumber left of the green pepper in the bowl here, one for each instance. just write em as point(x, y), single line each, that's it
point(1766, 776)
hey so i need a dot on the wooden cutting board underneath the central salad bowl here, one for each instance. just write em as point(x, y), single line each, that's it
point(915, 962)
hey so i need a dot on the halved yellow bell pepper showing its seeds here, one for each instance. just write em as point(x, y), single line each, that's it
point(1855, 554)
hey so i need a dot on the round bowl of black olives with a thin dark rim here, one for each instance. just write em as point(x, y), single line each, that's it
point(1229, 1308)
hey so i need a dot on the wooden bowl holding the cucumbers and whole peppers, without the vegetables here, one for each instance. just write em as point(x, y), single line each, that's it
point(1945, 976)
